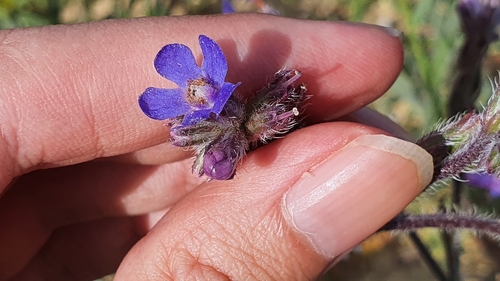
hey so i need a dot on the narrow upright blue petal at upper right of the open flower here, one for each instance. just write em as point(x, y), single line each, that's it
point(214, 62)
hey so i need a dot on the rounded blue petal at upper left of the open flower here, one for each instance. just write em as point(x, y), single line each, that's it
point(177, 63)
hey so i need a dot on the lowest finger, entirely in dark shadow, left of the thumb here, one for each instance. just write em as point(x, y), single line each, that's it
point(83, 251)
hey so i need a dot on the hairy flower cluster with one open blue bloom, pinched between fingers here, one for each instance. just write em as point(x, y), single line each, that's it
point(206, 115)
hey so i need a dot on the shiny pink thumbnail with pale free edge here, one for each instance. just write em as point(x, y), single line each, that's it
point(348, 196)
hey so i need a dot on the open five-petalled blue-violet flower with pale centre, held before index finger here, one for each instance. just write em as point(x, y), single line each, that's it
point(202, 91)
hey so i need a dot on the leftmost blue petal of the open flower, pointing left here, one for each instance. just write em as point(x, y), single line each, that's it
point(161, 104)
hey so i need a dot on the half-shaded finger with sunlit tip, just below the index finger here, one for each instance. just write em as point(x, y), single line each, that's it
point(44, 200)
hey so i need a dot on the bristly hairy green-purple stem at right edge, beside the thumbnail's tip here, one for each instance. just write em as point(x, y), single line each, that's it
point(467, 143)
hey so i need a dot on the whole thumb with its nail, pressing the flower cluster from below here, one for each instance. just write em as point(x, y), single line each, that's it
point(295, 205)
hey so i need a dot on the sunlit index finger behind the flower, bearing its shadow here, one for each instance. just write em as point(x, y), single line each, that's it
point(75, 99)
